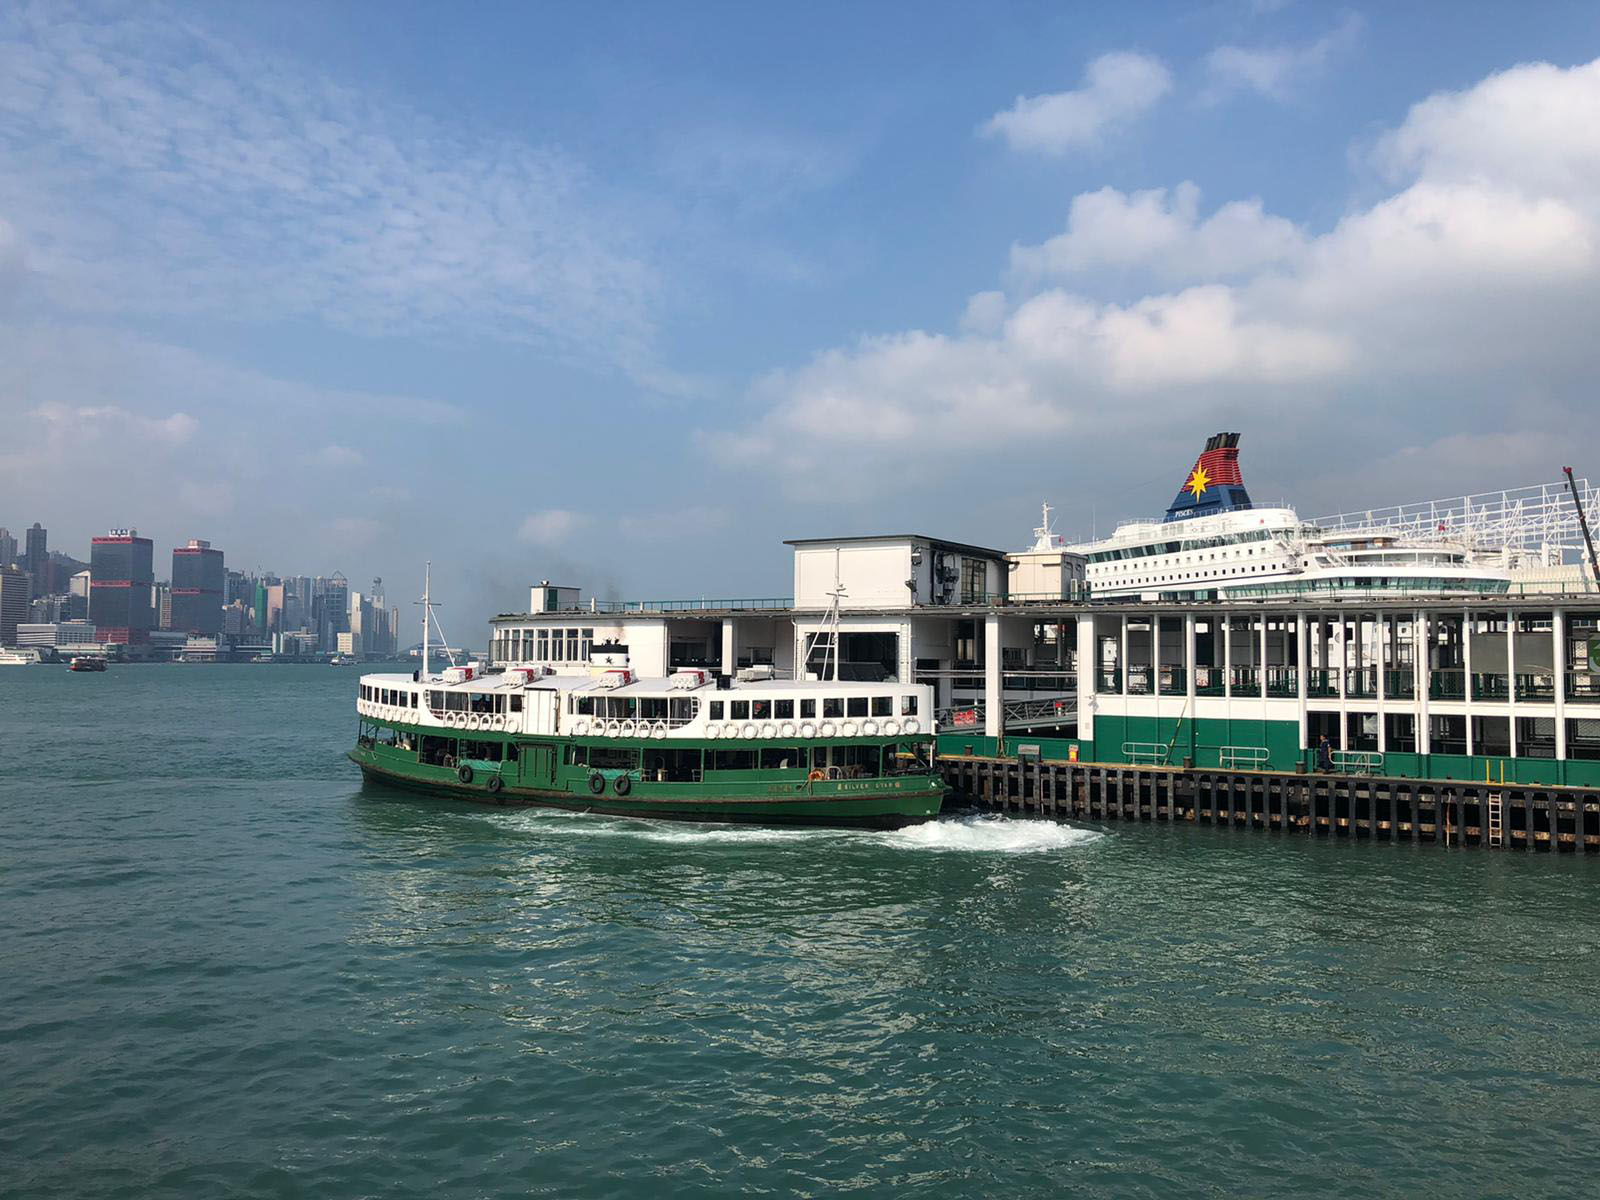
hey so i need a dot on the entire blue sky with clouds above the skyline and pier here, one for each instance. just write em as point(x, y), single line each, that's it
point(625, 295)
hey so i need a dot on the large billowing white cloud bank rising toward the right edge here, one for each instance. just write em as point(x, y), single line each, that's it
point(1434, 305)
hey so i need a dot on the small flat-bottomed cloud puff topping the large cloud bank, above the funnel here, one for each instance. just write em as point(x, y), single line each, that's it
point(1164, 233)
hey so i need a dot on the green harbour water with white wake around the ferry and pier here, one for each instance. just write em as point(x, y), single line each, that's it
point(230, 970)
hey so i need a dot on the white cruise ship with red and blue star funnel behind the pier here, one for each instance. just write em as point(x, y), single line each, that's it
point(1217, 545)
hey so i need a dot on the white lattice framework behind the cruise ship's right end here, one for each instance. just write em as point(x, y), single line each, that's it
point(1535, 526)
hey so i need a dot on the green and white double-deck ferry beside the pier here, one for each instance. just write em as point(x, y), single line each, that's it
point(689, 748)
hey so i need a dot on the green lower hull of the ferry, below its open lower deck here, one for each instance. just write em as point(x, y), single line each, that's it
point(878, 804)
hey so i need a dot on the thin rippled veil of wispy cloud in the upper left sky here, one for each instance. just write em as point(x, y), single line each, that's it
point(154, 169)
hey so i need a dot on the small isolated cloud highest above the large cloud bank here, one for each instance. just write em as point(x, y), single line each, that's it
point(1118, 89)
